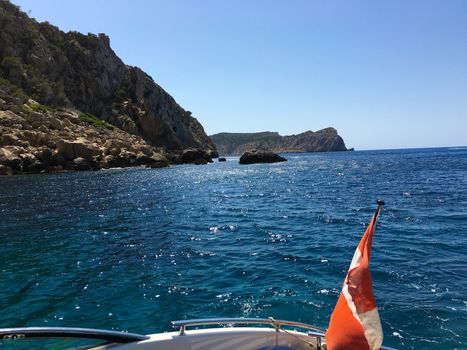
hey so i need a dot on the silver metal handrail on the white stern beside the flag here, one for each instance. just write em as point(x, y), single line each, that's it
point(182, 324)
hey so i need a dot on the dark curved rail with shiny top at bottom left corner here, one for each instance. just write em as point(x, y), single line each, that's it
point(65, 332)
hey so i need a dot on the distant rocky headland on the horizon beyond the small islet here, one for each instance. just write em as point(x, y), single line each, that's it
point(325, 140)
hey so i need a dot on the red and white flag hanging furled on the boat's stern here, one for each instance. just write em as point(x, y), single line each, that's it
point(355, 322)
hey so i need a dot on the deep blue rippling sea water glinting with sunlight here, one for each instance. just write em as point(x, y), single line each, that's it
point(133, 249)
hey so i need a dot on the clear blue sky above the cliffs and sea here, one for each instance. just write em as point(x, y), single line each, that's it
point(385, 74)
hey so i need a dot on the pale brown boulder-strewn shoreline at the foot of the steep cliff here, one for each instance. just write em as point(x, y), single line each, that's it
point(35, 138)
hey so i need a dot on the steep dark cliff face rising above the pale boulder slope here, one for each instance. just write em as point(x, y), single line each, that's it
point(79, 71)
